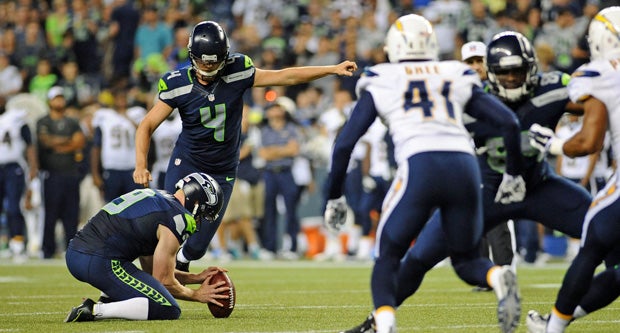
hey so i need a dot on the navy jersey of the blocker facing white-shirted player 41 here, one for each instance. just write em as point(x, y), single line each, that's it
point(545, 107)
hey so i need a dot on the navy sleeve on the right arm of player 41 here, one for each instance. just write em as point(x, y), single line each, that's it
point(488, 108)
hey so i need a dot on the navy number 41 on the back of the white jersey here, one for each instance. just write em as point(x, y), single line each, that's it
point(417, 97)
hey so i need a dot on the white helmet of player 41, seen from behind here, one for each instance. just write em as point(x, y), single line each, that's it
point(411, 37)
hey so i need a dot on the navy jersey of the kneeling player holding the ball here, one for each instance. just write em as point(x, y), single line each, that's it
point(126, 227)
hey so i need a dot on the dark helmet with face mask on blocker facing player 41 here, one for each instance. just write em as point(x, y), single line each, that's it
point(511, 53)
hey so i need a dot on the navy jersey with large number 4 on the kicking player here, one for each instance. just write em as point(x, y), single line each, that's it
point(211, 114)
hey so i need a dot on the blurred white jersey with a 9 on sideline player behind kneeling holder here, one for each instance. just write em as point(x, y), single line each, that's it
point(118, 134)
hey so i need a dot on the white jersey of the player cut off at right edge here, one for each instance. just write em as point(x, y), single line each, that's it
point(600, 79)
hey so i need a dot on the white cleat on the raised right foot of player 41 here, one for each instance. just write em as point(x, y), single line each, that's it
point(509, 300)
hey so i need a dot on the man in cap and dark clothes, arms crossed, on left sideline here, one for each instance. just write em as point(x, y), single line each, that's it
point(60, 142)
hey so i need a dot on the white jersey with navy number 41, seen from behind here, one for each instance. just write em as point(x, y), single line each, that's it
point(422, 103)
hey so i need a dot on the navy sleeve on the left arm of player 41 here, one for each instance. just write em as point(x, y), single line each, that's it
point(361, 118)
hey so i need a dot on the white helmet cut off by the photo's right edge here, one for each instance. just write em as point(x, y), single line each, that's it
point(604, 34)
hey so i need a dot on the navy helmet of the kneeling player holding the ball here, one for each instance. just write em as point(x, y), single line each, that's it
point(203, 195)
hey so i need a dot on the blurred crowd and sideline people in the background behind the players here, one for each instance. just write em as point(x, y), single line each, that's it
point(99, 51)
